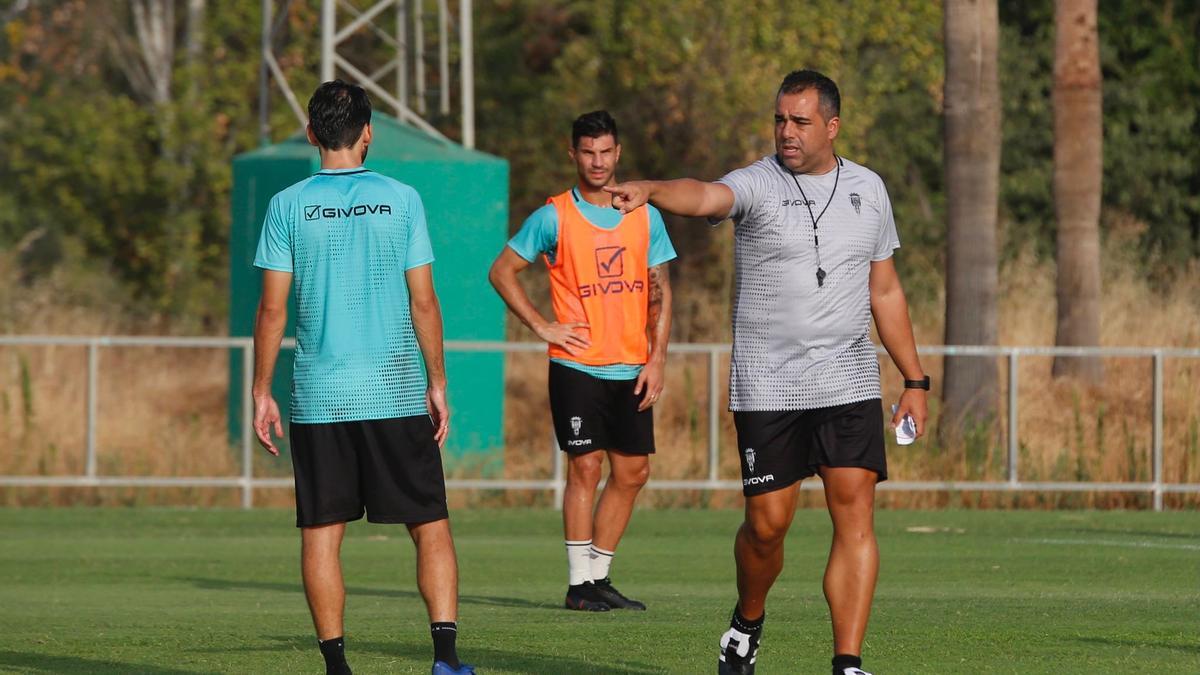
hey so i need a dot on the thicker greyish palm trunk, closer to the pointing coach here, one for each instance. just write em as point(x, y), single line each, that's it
point(973, 184)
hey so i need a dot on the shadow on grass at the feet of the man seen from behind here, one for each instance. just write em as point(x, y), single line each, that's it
point(488, 659)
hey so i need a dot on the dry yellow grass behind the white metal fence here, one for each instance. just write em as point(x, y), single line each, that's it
point(163, 413)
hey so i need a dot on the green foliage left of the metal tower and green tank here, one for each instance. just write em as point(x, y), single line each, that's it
point(139, 187)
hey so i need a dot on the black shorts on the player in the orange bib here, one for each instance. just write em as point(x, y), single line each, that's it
point(598, 415)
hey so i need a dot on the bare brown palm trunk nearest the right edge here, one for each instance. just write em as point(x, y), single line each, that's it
point(1078, 168)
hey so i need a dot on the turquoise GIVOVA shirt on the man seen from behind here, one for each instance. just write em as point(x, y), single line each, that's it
point(349, 237)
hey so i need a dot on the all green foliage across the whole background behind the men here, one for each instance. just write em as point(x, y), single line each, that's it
point(139, 190)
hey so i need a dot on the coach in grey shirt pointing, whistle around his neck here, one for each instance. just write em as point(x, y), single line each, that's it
point(814, 238)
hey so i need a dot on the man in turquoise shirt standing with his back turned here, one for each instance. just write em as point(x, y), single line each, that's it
point(367, 425)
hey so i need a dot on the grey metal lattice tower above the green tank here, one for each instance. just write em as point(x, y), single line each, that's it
point(341, 20)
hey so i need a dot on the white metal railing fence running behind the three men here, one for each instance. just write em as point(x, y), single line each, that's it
point(248, 482)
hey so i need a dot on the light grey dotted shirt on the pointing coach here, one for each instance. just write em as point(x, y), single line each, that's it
point(796, 345)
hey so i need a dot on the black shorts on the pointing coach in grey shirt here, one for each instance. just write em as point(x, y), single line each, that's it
point(779, 449)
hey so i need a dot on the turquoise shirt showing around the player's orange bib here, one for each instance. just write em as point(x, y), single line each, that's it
point(539, 235)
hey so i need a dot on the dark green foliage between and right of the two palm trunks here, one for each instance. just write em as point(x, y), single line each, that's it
point(1151, 74)
